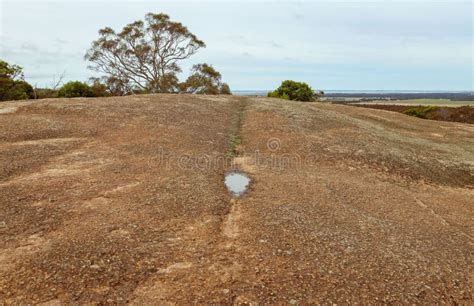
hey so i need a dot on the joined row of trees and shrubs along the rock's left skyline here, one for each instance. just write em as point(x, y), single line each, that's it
point(142, 58)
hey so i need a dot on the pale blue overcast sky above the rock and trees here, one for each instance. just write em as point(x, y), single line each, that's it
point(331, 45)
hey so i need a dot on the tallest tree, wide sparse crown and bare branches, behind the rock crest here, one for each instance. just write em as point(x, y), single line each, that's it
point(144, 55)
